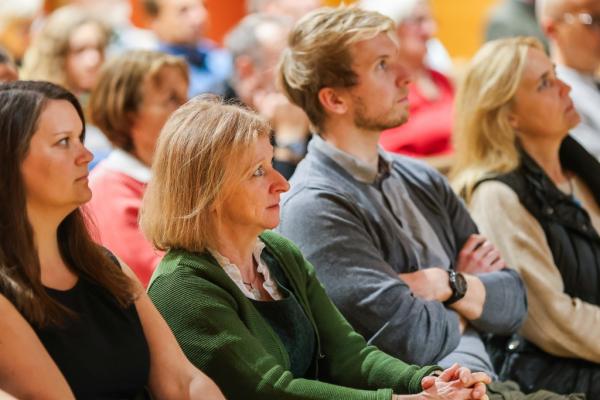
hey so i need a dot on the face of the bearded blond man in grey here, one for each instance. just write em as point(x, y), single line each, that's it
point(379, 100)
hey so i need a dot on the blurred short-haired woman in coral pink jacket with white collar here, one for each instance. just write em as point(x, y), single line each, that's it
point(135, 94)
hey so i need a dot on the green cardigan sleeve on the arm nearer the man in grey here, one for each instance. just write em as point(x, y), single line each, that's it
point(349, 360)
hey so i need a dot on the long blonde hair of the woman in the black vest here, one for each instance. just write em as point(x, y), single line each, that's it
point(485, 141)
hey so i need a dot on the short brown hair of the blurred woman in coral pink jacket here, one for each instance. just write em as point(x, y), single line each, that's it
point(118, 92)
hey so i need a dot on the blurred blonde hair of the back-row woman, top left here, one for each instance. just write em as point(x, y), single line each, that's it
point(46, 57)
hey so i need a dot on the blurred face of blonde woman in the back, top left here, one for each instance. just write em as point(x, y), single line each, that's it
point(85, 57)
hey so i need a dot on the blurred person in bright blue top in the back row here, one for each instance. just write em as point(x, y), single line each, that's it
point(179, 26)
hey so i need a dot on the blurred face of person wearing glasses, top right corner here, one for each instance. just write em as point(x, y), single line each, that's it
point(577, 33)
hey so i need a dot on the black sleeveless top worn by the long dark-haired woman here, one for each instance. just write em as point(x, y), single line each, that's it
point(102, 352)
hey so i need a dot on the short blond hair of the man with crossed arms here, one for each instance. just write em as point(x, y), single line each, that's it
point(318, 54)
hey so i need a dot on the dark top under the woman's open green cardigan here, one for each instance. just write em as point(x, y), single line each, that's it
point(289, 321)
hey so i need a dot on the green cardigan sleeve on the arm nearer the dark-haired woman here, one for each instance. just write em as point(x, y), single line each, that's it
point(205, 321)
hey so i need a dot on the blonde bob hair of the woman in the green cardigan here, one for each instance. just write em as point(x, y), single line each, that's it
point(203, 151)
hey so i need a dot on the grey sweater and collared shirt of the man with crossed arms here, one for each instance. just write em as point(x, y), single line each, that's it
point(362, 226)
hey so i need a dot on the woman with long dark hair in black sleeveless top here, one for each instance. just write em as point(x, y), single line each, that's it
point(69, 311)
